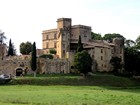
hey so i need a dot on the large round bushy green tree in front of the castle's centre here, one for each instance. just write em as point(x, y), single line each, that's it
point(83, 62)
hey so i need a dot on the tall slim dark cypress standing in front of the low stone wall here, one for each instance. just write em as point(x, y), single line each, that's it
point(34, 59)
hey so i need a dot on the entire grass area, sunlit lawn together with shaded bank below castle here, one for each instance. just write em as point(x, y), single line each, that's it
point(72, 90)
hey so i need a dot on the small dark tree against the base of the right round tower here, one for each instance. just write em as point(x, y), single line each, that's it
point(116, 63)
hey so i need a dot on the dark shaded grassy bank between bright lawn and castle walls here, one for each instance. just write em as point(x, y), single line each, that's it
point(97, 80)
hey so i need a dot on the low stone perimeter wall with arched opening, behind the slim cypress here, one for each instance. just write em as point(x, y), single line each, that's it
point(10, 64)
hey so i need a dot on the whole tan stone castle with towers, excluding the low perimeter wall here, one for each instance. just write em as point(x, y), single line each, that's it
point(64, 40)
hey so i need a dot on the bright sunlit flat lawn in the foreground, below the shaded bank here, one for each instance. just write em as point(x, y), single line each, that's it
point(67, 95)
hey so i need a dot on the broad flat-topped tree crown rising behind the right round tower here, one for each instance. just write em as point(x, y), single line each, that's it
point(109, 37)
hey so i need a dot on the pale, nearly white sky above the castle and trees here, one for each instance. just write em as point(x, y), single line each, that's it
point(24, 20)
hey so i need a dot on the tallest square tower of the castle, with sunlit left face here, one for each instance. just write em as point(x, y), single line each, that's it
point(63, 45)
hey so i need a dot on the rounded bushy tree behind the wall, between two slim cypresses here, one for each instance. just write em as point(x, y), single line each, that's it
point(25, 48)
